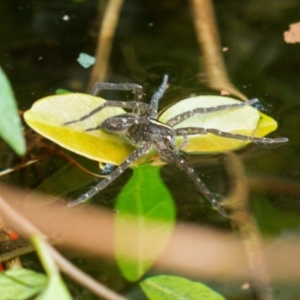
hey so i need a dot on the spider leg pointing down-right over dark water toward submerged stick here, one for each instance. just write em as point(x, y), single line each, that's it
point(201, 186)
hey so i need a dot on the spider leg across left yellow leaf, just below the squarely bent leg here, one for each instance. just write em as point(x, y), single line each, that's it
point(122, 104)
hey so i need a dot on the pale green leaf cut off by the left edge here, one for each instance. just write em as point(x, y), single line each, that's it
point(10, 124)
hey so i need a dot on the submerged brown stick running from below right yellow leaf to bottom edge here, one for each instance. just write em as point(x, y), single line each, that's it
point(247, 228)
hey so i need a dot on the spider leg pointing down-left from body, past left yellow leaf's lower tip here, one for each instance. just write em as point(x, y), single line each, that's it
point(135, 155)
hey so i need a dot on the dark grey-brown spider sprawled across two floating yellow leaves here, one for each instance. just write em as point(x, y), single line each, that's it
point(142, 128)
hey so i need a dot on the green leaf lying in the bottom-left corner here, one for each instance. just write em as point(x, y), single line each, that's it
point(19, 284)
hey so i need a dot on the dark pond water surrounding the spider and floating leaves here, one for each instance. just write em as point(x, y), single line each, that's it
point(39, 48)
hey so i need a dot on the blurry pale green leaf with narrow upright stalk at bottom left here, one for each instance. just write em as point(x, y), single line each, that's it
point(56, 288)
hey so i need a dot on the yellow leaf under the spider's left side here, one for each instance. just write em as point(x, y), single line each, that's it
point(48, 115)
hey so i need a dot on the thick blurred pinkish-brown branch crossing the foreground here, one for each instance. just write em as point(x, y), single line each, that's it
point(212, 255)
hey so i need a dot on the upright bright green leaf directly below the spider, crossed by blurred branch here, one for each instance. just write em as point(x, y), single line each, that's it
point(146, 205)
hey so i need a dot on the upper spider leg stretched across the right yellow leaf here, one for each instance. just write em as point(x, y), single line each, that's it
point(202, 110)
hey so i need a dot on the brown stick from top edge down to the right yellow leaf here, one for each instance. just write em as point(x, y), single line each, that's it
point(209, 44)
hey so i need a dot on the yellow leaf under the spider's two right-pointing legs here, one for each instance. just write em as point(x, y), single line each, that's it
point(243, 120)
